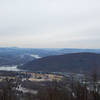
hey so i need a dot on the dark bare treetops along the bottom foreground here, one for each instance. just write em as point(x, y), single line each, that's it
point(88, 89)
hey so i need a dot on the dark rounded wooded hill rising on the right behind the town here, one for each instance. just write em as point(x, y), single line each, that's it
point(75, 62)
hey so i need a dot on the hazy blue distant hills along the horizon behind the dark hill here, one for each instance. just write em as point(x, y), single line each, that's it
point(17, 56)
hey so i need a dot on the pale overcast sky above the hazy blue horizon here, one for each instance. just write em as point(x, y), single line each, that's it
point(50, 23)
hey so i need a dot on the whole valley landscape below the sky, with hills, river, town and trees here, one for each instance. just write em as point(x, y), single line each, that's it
point(42, 74)
